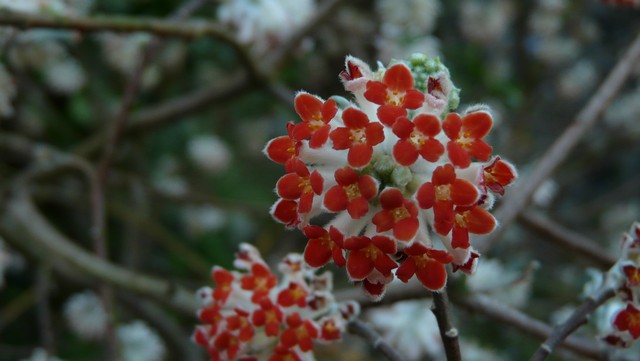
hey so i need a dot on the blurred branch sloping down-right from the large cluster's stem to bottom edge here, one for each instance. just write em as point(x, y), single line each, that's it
point(512, 317)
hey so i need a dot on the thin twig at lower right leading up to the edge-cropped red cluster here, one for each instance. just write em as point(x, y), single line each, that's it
point(577, 319)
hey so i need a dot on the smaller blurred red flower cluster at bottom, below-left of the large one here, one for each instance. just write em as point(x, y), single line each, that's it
point(249, 315)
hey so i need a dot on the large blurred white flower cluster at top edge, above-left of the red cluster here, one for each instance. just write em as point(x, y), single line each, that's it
point(265, 23)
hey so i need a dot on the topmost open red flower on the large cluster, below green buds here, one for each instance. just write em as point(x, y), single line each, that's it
point(395, 94)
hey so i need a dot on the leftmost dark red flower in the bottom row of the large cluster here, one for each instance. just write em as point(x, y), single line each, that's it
point(323, 245)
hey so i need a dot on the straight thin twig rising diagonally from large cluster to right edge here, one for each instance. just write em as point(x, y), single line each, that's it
point(517, 198)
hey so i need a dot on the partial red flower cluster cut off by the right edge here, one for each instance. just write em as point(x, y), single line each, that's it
point(626, 275)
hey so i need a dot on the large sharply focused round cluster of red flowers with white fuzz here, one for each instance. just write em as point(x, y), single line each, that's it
point(398, 167)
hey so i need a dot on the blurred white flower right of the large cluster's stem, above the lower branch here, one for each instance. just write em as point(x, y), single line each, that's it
point(508, 286)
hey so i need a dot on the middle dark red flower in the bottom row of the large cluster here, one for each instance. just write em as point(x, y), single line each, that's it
point(369, 253)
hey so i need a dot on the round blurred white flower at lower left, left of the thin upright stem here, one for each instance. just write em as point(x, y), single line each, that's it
point(86, 315)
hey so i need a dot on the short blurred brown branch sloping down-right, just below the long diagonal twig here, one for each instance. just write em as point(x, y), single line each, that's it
point(574, 242)
